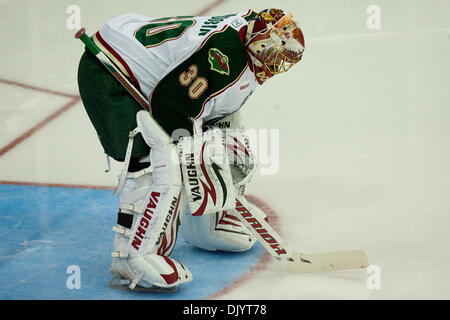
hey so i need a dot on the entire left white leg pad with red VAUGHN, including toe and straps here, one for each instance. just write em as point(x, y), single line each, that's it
point(140, 259)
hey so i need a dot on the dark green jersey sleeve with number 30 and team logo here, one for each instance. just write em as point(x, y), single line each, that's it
point(216, 65)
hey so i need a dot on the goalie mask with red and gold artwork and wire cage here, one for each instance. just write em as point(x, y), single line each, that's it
point(274, 43)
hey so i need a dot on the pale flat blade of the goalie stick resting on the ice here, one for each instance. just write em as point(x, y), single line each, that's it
point(328, 261)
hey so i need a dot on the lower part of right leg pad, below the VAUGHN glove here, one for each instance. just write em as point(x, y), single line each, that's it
point(218, 231)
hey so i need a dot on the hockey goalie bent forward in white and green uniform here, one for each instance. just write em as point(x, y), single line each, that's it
point(182, 173)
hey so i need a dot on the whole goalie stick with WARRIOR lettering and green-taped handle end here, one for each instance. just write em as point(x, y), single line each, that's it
point(293, 261)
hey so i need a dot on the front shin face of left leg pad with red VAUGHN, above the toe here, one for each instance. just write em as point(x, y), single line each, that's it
point(160, 210)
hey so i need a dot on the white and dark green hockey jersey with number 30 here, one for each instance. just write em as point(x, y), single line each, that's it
point(192, 69)
